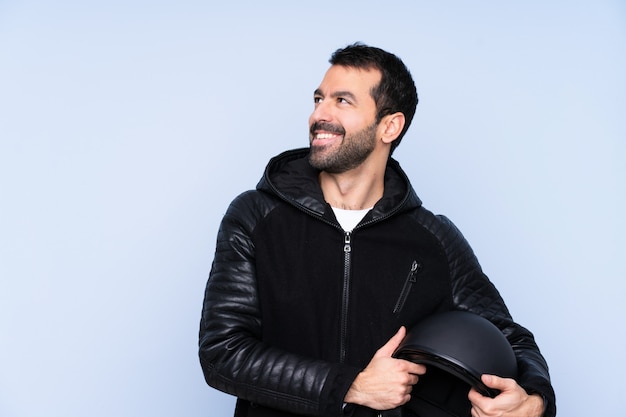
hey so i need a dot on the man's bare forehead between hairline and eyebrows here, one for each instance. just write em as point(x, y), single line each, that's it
point(355, 80)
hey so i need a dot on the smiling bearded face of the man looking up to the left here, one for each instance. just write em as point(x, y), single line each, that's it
point(343, 125)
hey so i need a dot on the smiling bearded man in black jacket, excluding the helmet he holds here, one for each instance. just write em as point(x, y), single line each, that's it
point(301, 313)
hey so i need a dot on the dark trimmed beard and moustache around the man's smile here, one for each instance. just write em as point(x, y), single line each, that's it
point(349, 153)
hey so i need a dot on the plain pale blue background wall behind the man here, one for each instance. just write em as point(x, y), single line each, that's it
point(126, 128)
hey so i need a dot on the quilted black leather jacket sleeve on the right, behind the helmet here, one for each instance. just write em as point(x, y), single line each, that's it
point(472, 291)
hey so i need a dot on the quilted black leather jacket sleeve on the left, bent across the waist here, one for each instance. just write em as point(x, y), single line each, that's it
point(232, 355)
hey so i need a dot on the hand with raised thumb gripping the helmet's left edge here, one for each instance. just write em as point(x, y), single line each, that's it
point(386, 382)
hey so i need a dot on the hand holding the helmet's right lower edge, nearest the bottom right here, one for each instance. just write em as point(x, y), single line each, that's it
point(513, 401)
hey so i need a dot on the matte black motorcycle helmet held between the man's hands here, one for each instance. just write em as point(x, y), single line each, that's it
point(457, 347)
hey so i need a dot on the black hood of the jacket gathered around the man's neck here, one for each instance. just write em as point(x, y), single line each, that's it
point(290, 177)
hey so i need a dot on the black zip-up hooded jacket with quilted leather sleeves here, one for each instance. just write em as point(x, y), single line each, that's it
point(295, 307)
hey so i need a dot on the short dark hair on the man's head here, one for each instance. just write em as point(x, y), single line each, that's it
point(396, 91)
